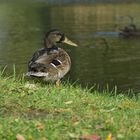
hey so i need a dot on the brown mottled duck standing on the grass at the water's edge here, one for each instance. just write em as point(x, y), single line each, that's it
point(51, 62)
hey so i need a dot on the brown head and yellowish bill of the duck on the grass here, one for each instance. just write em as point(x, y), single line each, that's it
point(55, 36)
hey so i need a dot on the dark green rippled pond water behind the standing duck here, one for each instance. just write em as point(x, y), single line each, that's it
point(102, 58)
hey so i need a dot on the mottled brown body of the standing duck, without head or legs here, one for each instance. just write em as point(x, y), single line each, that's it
point(53, 64)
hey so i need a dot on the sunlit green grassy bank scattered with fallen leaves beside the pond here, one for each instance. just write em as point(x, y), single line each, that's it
point(45, 112)
